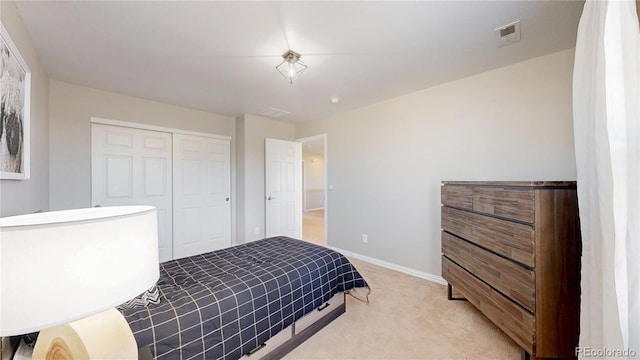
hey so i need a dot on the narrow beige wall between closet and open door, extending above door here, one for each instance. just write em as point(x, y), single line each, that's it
point(252, 130)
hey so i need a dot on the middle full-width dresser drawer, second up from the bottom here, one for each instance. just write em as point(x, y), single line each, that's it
point(511, 279)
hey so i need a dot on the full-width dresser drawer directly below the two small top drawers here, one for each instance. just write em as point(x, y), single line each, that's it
point(512, 240)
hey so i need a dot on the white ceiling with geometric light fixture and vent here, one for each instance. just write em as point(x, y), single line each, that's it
point(221, 56)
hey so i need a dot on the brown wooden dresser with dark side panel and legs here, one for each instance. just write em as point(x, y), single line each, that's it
point(512, 249)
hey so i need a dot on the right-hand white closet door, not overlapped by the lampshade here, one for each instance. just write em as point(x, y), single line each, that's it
point(201, 190)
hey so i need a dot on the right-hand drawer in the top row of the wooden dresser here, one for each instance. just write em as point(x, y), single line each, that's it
point(517, 204)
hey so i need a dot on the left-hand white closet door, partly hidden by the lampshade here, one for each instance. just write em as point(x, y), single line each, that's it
point(133, 167)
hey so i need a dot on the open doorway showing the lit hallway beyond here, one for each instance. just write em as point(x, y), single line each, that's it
point(314, 179)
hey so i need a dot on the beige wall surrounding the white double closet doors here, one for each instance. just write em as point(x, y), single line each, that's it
point(71, 108)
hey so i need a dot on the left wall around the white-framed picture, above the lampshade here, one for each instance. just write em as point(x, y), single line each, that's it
point(27, 196)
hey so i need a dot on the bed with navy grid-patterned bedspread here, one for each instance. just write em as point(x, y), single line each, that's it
point(235, 302)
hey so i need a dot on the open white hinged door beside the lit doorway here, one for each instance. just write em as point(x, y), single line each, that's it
point(283, 188)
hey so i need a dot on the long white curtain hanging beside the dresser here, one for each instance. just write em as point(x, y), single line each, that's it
point(606, 110)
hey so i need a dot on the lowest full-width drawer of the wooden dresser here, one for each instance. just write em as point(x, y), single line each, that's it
point(508, 316)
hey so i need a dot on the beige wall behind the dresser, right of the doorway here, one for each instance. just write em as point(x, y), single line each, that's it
point(386, 161)
